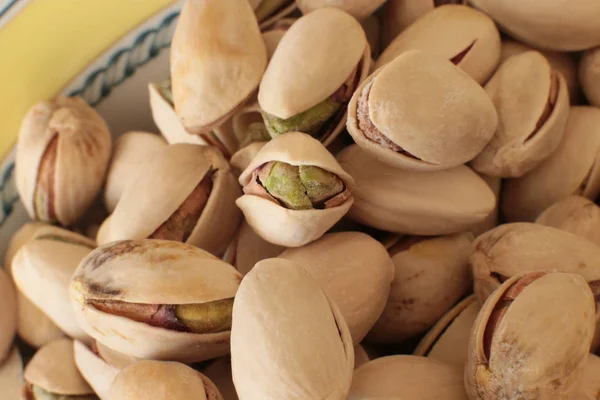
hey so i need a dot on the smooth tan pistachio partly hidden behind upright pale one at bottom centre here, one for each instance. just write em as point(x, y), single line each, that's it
point(349, 262)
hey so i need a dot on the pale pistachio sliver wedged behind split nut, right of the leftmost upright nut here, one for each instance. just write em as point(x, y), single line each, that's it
point(130, 151)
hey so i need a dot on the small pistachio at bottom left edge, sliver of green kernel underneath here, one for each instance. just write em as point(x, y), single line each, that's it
point(52, 375)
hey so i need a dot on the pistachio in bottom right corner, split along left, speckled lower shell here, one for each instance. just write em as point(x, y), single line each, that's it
point(527, 342)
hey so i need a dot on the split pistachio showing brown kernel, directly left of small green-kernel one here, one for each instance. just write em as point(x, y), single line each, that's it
point(196, 208)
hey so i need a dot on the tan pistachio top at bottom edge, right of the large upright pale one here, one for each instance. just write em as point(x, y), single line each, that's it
point(407, 377)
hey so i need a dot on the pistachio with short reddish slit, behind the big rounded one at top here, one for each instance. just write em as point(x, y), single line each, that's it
point(458, 33)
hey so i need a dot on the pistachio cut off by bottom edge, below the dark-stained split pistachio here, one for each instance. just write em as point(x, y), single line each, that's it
point(162, 380)
